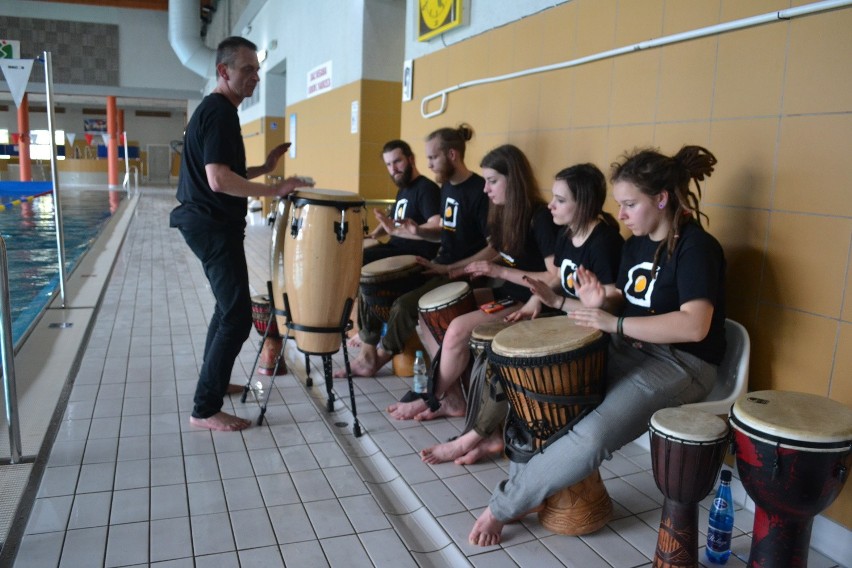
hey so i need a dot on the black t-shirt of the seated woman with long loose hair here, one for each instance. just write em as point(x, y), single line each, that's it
point(539, 243)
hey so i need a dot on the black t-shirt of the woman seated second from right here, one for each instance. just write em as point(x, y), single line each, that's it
point(600, 253)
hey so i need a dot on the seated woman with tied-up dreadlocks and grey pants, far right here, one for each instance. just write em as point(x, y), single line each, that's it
point(667, 338)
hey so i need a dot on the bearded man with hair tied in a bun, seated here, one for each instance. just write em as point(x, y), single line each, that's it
point(462, 236)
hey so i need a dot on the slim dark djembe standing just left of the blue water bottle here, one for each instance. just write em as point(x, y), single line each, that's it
point(687, 449)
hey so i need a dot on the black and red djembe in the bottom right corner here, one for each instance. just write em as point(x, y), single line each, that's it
point(793, 455)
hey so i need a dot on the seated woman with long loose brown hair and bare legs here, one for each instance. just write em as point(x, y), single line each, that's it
point(515, 202)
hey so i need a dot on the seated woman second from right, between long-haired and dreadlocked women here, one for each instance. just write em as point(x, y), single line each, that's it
point(590, 239)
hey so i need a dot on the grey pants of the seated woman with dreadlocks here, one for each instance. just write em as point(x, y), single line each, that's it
point(641, 380)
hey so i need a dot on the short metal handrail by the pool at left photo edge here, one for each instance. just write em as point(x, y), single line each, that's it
point(8, 355)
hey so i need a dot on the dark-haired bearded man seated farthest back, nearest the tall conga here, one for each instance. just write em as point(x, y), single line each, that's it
point(417, 202)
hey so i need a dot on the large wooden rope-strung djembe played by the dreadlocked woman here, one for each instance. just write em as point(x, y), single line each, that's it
point(553, 373)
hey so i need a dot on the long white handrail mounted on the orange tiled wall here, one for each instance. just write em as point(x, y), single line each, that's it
point(717, 29)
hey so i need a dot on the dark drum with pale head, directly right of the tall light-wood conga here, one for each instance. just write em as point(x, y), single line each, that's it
point(385, 280)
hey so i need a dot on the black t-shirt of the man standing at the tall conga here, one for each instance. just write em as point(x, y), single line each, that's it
point(213, 136)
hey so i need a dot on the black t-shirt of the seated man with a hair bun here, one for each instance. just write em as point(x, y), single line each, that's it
point(464, 219)
